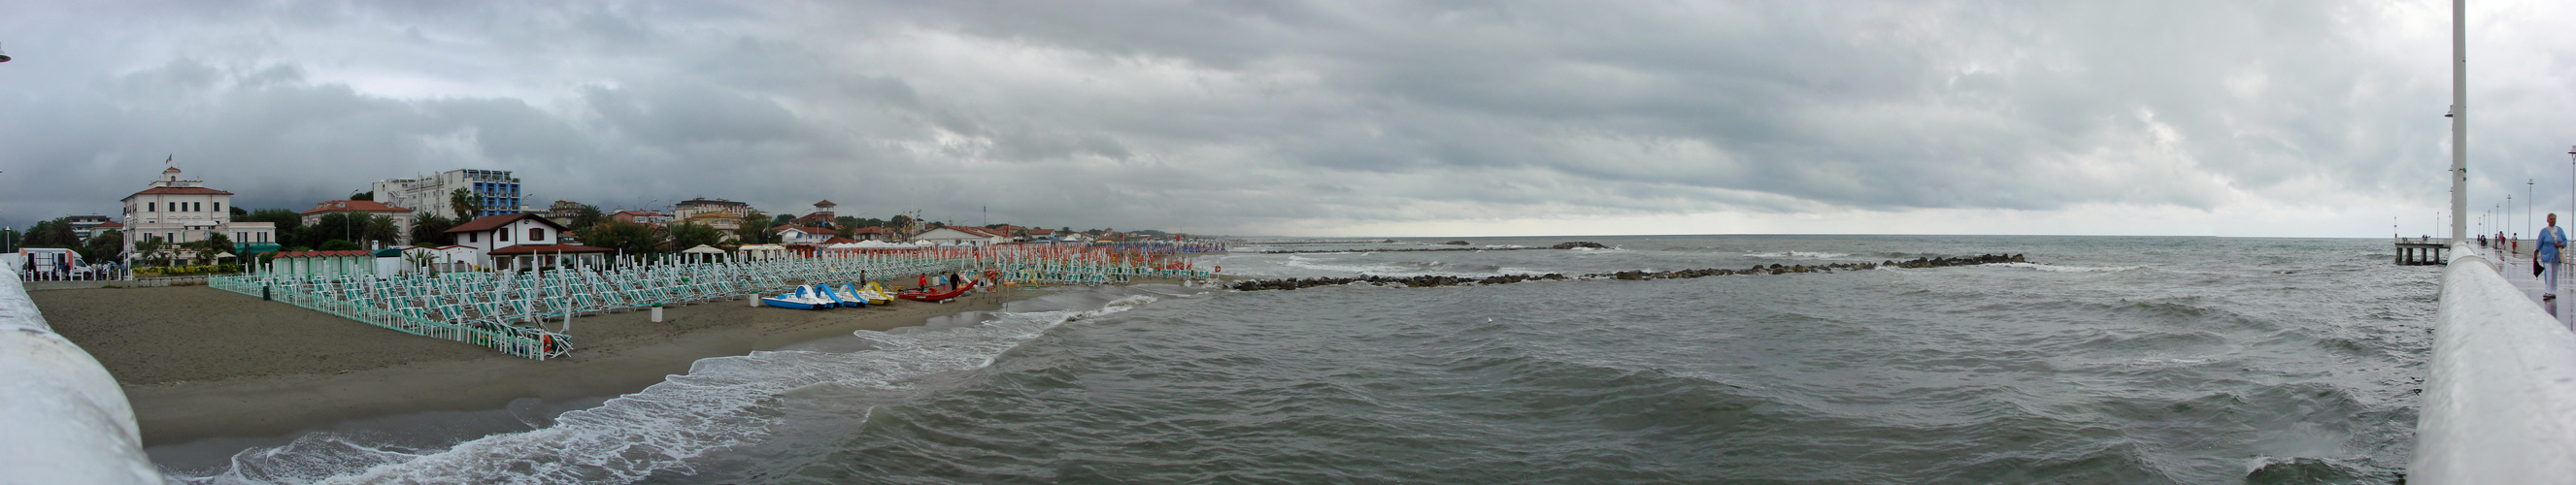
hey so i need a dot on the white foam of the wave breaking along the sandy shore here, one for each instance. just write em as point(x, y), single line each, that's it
point(720, 404)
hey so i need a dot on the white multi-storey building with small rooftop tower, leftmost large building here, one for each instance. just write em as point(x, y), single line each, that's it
point(182, 210)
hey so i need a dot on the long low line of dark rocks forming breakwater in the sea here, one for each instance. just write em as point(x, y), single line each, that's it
point(1416, 282)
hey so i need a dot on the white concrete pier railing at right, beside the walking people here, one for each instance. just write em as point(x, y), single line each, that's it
point(2500, 401)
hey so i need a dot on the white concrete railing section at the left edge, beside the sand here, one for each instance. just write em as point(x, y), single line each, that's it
point(63, 419)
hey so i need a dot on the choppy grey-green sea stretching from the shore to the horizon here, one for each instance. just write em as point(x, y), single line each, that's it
point(2106, 360)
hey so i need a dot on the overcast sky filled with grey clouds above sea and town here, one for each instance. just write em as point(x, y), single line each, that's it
point(1320, 117)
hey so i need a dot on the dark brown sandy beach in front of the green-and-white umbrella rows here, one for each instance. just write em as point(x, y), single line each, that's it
point(202, 362)
